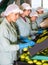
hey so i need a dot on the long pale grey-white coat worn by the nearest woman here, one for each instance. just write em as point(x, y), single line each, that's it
point(8, 51)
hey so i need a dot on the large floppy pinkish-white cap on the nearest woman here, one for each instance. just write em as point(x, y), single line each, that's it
point(10, 9)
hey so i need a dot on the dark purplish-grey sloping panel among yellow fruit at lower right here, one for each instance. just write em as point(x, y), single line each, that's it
point(38, 47)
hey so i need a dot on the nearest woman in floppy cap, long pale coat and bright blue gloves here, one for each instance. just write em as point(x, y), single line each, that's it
point(8, 36)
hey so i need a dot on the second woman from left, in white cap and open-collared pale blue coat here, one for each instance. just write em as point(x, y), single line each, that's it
point(23, 22)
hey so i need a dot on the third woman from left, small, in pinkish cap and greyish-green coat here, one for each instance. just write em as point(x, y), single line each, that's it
point(33, 17)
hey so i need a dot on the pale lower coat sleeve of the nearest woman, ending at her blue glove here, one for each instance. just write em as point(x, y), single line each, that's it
point(5, 44)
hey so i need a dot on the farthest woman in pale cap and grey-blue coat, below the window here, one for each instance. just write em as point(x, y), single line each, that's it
point(41, 15)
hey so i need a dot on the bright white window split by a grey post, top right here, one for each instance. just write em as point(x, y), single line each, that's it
point(38, 3)
